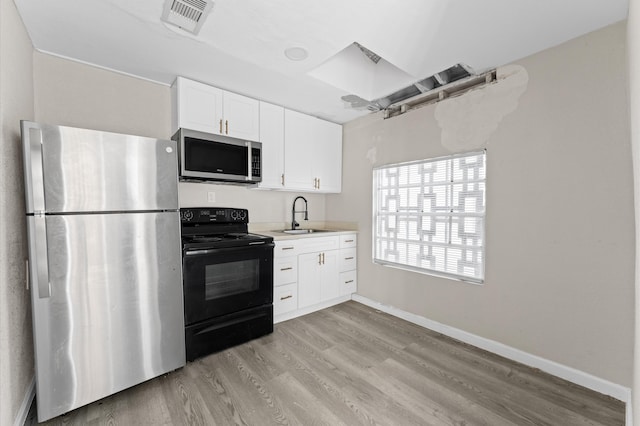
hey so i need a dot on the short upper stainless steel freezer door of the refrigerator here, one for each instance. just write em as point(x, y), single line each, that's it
point(78, 170)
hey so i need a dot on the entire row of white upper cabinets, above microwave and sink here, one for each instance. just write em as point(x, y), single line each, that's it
point(299, 152)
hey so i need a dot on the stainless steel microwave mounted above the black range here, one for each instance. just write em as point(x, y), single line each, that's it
point(217, 158)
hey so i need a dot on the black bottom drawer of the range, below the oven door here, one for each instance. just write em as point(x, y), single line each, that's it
point(226, 331)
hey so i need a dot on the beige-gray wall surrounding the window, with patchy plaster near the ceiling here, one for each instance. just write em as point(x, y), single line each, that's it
point(560, 220)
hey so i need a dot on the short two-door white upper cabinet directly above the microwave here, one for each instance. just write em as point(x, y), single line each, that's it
point(208, 109)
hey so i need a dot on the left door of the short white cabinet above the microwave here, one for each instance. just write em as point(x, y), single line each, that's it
point(197, 106)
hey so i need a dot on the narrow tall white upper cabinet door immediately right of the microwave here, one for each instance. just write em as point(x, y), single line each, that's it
point(272, 138)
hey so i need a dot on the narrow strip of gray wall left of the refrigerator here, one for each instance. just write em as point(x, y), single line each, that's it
point(16, 103)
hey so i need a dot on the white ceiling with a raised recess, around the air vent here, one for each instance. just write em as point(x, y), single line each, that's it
point(241, 45)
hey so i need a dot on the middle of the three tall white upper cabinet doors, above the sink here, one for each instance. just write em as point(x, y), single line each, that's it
point(298, 154)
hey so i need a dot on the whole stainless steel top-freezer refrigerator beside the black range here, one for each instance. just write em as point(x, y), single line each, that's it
point(104, 262)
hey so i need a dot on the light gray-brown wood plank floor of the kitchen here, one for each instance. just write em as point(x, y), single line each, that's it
point(352, 365)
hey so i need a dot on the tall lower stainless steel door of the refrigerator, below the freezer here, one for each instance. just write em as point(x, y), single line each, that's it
point(111, 314)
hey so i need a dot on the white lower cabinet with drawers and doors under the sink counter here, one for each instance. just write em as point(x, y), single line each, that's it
point(313, 273)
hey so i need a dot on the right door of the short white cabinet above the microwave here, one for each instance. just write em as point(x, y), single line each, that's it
point(241, 117)
